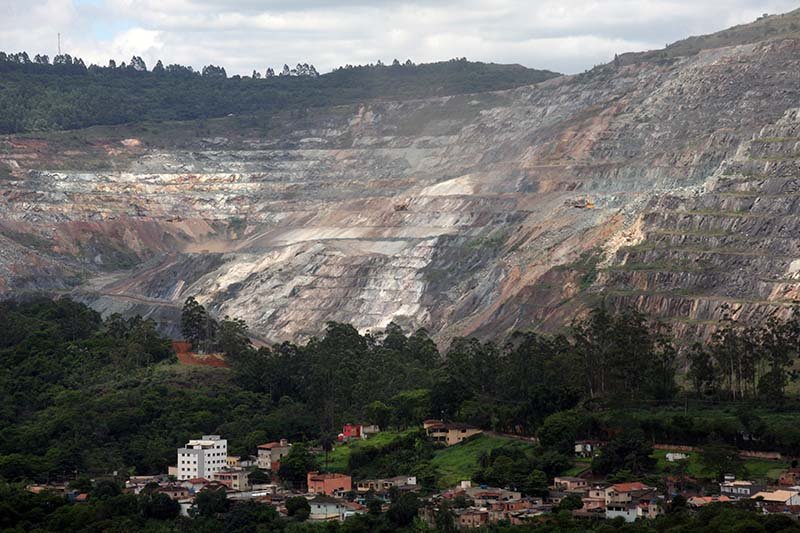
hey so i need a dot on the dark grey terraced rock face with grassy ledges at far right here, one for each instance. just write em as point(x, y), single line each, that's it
point(731, 249)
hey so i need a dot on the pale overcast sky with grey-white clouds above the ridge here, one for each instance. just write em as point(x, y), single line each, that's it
point(241, 35)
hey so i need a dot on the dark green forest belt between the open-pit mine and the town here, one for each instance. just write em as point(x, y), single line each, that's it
point(87, 395)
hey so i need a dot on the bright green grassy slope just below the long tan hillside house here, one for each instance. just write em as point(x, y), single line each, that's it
point(460, 462)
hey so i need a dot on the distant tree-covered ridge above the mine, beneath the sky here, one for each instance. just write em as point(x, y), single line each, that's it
point(36, 95)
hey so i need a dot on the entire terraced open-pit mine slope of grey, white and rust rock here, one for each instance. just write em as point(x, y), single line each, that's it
point(468, 214)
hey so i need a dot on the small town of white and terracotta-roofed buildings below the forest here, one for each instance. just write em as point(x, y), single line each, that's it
point(204, 466)
